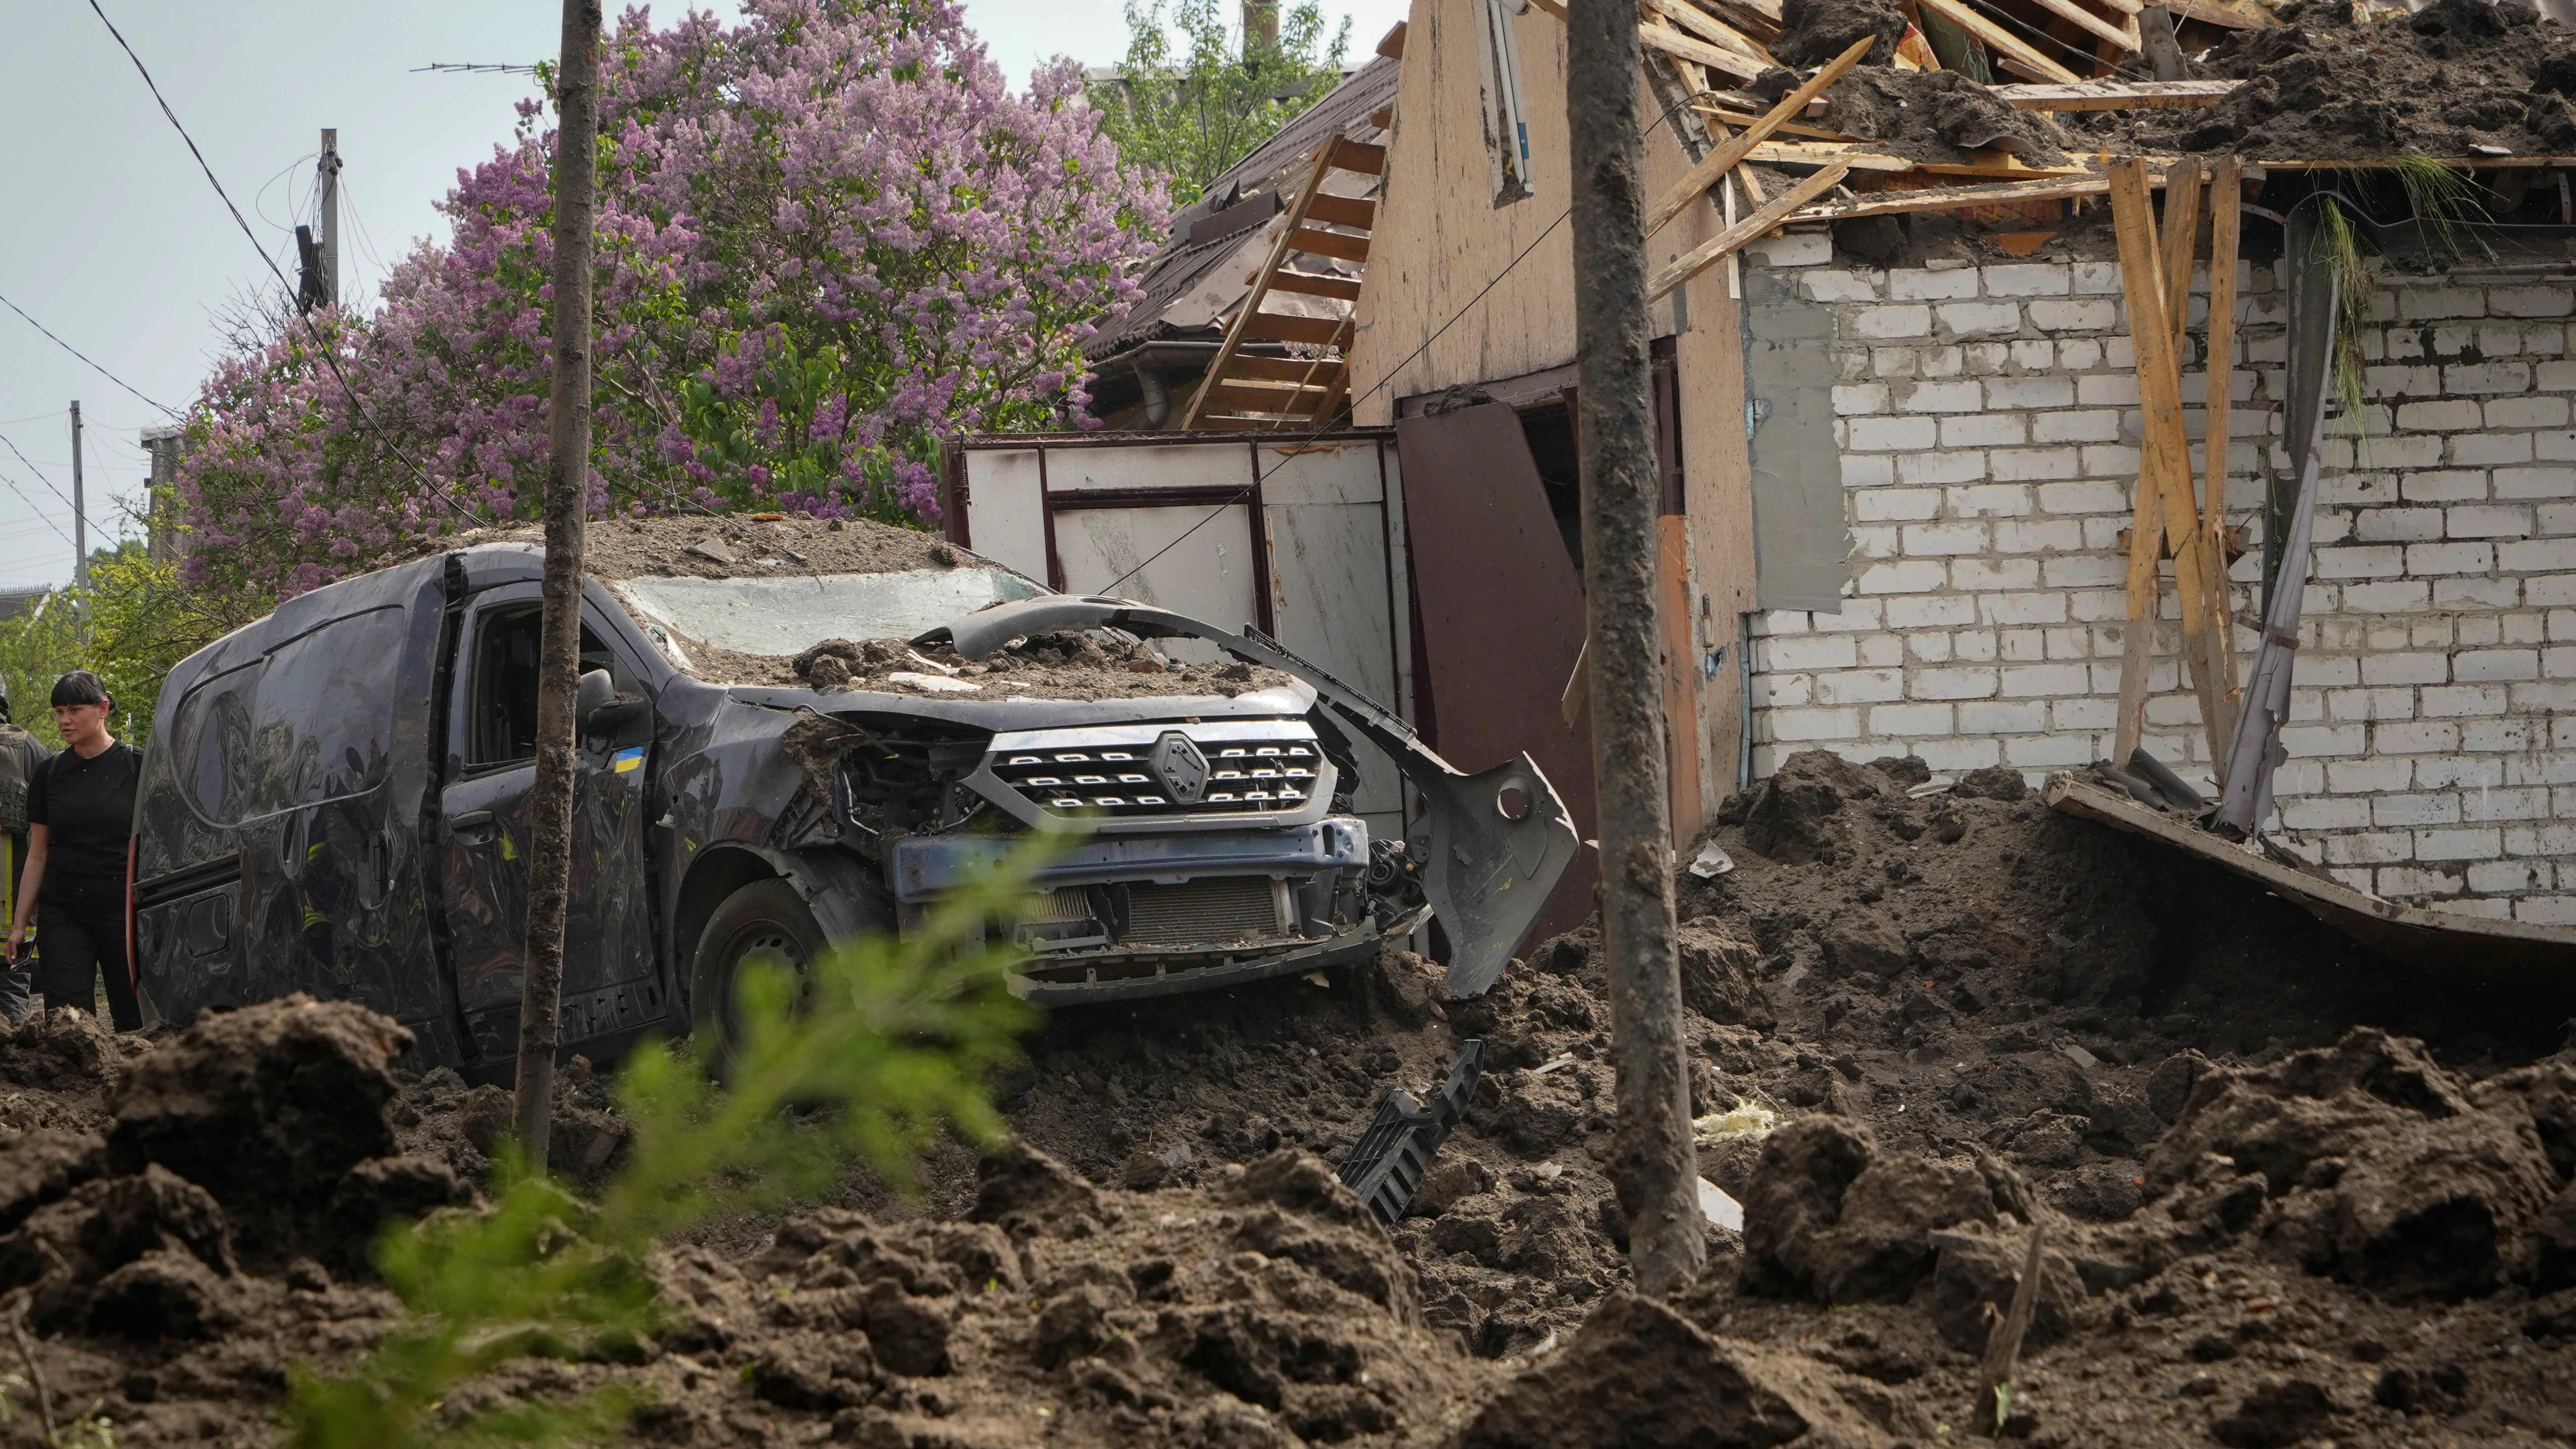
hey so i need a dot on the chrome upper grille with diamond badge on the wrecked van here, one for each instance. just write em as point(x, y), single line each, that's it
point(1220, 768)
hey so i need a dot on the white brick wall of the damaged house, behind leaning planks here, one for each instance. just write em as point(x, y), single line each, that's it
point(1990, 431)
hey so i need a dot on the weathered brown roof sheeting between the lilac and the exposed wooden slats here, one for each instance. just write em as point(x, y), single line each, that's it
point(1282, 161)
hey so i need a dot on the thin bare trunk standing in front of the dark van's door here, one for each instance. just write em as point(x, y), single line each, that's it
point(568, 508)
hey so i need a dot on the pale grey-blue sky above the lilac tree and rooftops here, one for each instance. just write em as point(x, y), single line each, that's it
point(115, 241)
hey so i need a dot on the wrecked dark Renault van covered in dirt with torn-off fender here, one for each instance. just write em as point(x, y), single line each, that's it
point(782, 750)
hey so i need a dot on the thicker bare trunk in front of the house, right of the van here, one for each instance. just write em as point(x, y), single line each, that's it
point(1655, 1165)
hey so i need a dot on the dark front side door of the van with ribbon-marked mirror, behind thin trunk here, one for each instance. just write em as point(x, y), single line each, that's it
point(488, 838)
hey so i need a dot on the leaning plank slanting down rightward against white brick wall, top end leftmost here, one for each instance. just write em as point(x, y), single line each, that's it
point(2168, 454)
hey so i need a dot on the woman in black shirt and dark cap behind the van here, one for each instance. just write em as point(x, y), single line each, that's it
point(81, 822)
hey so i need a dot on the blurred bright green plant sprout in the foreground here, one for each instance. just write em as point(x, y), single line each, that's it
point(864, 1059)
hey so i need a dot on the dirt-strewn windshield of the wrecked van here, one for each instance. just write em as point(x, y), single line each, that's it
point(787, 616)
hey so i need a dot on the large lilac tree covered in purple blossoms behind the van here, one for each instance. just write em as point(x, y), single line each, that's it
point(826, 238)
